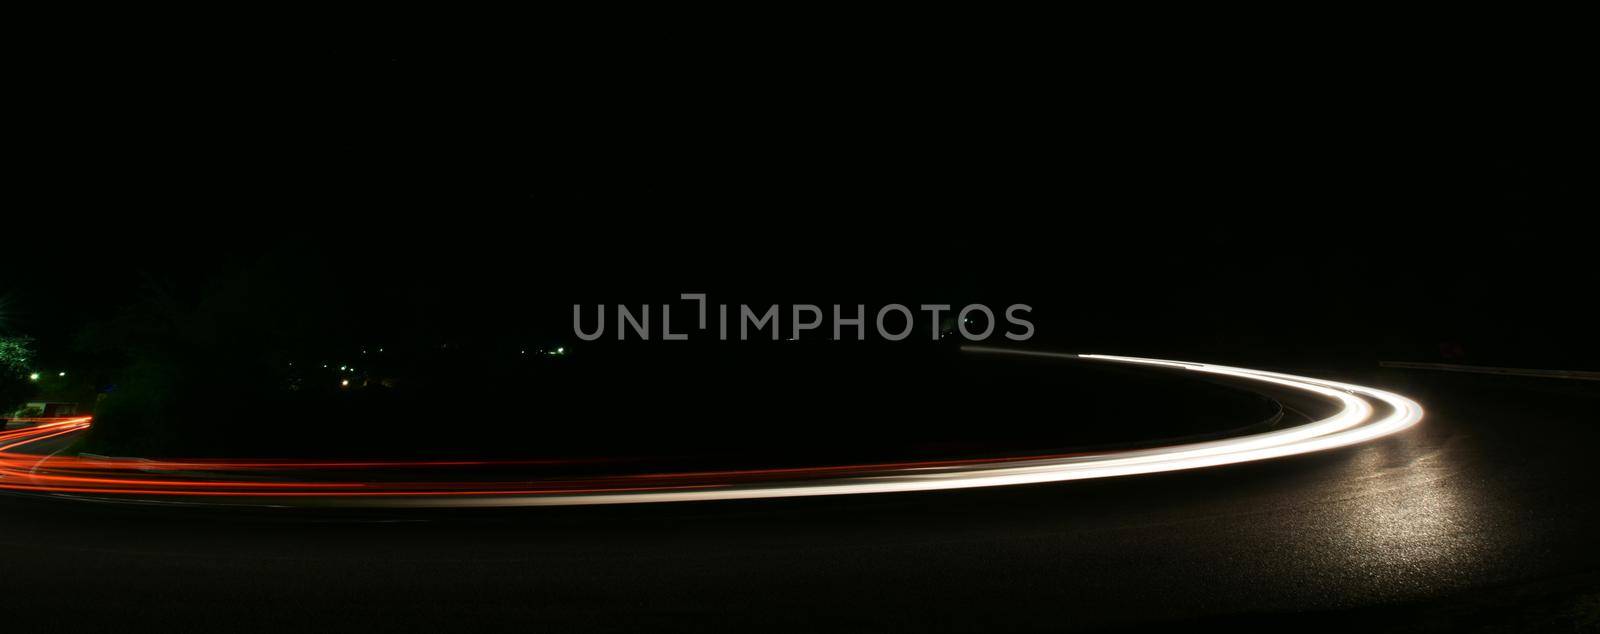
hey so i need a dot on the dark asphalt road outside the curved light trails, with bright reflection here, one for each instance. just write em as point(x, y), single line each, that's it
point(1482, 518)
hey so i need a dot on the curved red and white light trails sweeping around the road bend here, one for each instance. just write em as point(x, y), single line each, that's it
point(220, 481)
